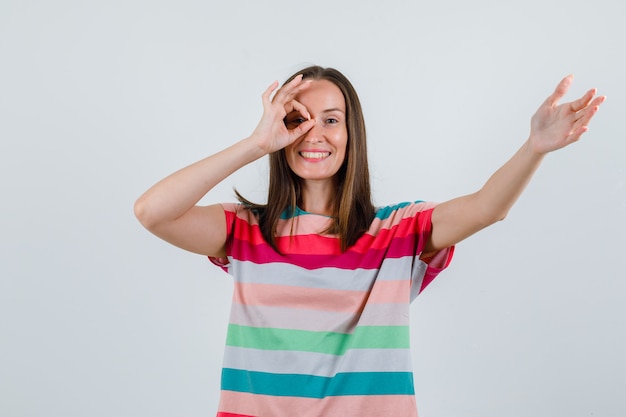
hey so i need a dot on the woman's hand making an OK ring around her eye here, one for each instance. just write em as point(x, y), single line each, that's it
point(271, 134)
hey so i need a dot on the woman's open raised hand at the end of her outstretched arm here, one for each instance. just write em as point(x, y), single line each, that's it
point(555, 125)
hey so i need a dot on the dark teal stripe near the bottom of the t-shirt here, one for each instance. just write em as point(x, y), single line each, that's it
point(309, 386)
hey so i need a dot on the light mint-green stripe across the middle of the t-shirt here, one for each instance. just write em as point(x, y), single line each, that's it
point(364, 337)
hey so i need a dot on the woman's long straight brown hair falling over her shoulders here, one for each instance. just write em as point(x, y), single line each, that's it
point(353, 208)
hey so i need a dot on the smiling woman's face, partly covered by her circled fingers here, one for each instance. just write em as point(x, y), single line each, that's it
point(318, 154)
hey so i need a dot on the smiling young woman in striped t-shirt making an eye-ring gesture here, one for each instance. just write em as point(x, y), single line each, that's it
point(323, 279)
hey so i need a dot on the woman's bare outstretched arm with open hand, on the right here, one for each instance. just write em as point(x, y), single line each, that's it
point(553, 126)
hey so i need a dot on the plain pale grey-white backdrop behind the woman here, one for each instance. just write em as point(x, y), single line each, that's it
point(100, 99)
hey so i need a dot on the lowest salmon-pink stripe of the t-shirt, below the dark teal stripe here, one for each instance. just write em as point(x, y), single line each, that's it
point(362, 406)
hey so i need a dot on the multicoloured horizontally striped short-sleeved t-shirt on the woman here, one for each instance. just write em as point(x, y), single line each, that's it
point(317, 332)
